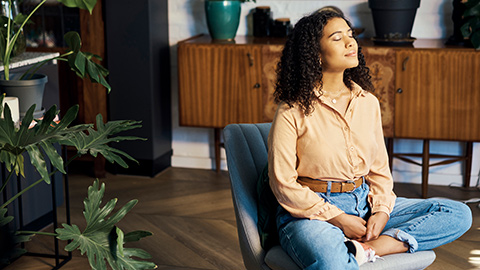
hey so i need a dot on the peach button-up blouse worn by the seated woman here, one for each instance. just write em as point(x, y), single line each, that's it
point(330, 146)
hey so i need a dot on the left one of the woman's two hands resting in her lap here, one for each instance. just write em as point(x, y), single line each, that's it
point(352, 226)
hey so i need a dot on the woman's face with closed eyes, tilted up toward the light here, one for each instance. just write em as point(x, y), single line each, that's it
point(338, 48)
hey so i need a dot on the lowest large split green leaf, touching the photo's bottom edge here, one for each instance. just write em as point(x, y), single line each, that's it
point(101, 240)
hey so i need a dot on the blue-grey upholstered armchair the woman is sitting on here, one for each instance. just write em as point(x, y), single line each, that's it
point(246, 148)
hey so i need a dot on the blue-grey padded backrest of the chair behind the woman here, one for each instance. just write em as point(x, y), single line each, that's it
point(246, 149)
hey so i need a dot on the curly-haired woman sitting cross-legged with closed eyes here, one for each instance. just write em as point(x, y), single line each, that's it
point(328, 165)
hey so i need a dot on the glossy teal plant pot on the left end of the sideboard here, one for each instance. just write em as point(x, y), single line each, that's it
point(223, 18)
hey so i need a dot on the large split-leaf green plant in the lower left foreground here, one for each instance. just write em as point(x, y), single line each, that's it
point(102, 241)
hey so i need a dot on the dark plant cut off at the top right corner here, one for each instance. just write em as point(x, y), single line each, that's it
point(471, 28)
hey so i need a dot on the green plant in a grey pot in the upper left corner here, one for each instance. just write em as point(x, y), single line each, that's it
point(80, 62)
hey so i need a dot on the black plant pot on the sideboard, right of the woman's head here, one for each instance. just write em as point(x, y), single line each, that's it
point(393, 19)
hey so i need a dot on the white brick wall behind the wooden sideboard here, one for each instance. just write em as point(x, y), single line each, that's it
point(193, 147)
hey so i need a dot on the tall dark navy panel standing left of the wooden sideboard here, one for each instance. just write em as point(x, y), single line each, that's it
point(138, 54)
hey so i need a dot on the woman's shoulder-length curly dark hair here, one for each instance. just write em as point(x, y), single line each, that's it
point(299, 71)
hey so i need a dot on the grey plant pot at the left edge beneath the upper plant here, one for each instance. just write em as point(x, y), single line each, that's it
point(29, 92)
